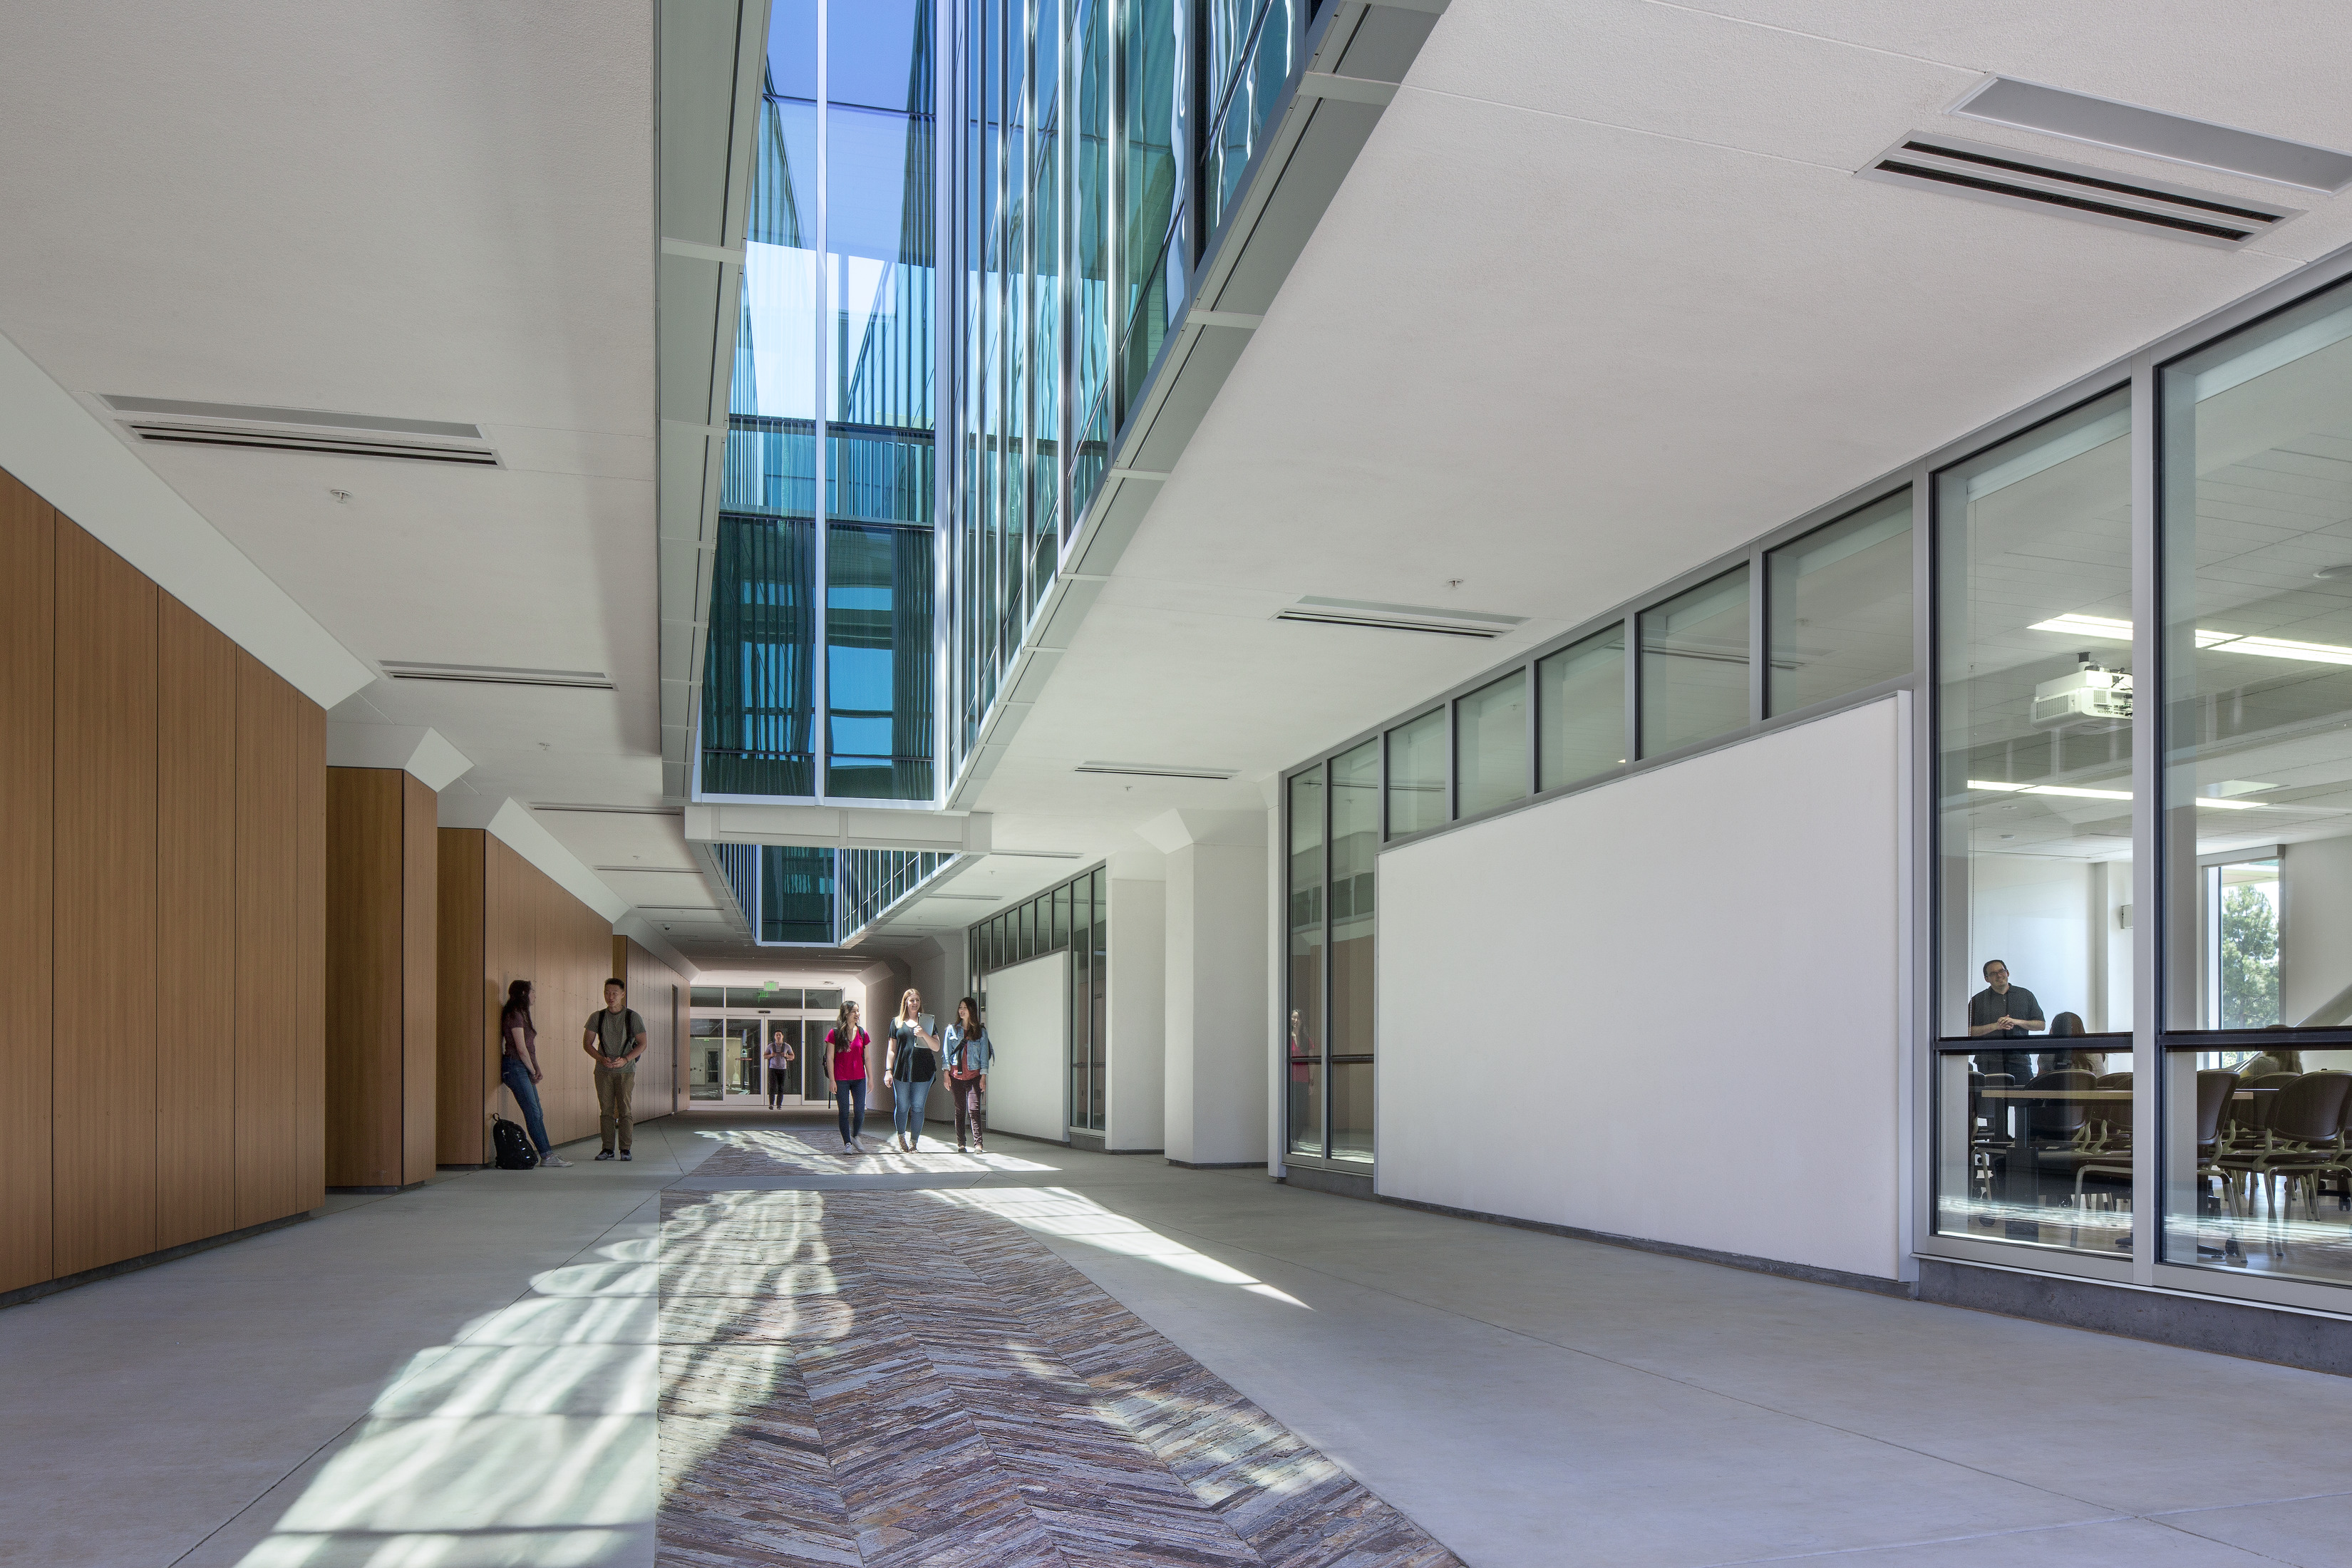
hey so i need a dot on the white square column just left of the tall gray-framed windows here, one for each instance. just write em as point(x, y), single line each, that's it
point(1215, 986)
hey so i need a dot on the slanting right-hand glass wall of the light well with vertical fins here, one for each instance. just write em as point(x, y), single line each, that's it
point(1078, 201)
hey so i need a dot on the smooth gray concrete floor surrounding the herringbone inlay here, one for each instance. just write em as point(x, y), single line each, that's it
point(467, 1374)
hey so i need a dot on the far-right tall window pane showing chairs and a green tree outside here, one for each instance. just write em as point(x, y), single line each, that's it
point(2257, 826)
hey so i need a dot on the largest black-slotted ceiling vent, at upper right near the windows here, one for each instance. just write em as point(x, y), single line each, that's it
point(2076, 192)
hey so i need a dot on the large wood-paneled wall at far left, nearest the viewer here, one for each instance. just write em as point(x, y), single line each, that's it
point(163, 845)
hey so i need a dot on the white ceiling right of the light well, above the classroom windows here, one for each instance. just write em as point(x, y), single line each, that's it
point(1603, 300)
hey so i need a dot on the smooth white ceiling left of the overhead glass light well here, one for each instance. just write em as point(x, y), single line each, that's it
point(420, 213)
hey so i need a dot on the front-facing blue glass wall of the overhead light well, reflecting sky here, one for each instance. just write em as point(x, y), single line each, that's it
point(831, 427)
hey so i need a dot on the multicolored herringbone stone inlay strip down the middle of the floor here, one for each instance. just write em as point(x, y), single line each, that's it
point(902, 1379)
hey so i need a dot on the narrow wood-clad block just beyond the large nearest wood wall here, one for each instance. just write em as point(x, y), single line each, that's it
point(382, 965)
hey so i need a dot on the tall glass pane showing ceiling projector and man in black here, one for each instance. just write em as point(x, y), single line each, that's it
point(2033, 784)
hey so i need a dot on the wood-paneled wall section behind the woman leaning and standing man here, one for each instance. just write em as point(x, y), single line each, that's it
point(507, 920)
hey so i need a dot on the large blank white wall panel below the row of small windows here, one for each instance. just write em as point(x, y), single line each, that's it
point(1709, 977)
